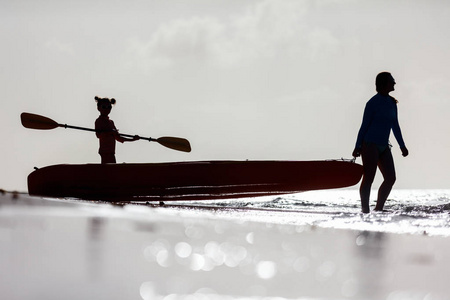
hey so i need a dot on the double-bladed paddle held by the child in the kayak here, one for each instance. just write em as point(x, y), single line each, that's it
point(34, 121)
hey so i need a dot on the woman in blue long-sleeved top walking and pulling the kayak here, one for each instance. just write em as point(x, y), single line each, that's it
point(380, 117)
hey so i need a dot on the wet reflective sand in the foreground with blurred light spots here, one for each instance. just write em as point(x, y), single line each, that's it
point(58, 249)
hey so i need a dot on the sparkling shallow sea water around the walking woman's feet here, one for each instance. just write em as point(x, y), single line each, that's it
point(407, 211)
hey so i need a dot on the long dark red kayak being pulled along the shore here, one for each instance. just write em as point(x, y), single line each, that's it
point(190, 180)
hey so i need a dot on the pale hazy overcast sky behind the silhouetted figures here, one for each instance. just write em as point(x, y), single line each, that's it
point(272, 79)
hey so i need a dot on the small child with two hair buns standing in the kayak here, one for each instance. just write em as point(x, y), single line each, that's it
point(107, 132)
